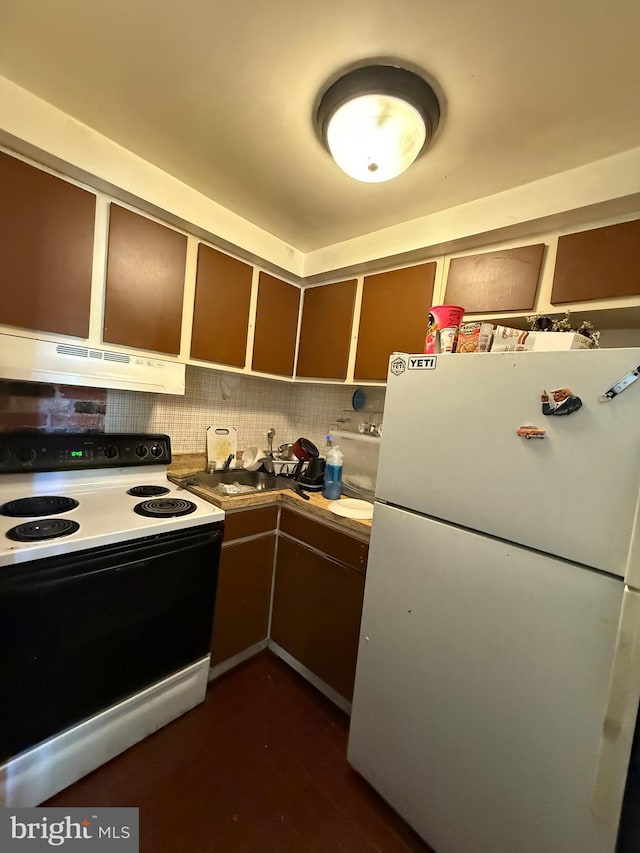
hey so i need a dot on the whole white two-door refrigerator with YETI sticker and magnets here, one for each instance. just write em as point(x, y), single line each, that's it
point(498, 672)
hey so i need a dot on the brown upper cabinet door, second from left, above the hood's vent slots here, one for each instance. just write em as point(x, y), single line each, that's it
point(145, 283)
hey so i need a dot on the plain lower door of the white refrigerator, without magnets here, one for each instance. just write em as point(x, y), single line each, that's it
point(481, 688)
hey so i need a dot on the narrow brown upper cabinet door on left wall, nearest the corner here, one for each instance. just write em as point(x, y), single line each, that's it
point(274, 342)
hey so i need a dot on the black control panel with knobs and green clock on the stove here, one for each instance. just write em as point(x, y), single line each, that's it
point(34, 451)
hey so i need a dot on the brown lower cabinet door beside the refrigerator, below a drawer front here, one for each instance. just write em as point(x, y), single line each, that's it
point(317, 607)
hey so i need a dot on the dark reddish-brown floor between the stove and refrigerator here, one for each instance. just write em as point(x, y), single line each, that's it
point(259, 767)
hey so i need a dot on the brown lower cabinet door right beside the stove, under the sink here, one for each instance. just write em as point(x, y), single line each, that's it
point(243, 598)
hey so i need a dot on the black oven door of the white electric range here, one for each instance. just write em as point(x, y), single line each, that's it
point(79, 633)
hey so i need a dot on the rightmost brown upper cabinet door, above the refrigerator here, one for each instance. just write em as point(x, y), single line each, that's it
point(597, 264)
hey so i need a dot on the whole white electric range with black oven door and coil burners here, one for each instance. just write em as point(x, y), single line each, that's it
point(108, 576)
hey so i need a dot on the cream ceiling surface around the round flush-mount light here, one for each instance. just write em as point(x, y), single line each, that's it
point(221, 94)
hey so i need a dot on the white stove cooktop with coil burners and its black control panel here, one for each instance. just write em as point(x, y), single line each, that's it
point(67, 492)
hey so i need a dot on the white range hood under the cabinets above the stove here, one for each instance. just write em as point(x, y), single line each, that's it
point(31, 360)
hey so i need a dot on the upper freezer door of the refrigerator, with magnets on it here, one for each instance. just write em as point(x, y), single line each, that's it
point(450, 450)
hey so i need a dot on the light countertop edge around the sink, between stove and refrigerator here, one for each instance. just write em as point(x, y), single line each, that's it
point(183, 465)
